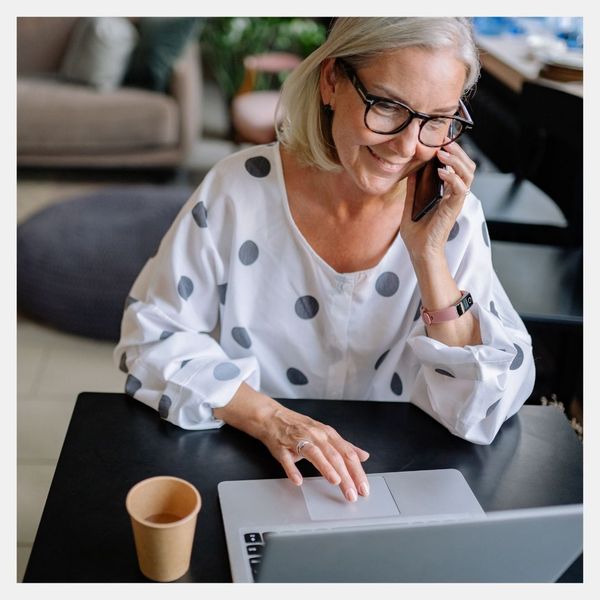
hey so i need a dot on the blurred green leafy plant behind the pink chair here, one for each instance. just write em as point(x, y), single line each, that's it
point(225, 41)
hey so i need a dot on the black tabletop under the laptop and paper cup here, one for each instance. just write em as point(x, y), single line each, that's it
point(114, 441)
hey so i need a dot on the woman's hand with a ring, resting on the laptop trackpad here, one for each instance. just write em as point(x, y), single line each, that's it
point(281, 429)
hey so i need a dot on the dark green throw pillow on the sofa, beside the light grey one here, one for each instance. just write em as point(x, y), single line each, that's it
point(162, 41)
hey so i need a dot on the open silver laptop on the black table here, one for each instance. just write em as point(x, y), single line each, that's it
point(415, 526)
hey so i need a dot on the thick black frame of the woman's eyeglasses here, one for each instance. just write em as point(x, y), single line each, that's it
point(370, 100)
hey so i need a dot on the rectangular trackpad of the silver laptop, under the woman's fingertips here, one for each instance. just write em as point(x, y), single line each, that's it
point(326, 501)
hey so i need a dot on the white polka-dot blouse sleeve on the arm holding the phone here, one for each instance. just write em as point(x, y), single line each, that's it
point(472, 390)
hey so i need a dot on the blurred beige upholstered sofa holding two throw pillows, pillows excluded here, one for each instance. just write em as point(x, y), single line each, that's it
point(65, 124)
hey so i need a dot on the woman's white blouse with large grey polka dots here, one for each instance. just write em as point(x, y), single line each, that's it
point(236, 294)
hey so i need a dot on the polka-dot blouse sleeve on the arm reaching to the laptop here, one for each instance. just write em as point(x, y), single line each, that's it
point(172, 361)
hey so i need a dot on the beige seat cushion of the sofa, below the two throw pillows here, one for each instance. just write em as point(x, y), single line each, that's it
point(59, 118)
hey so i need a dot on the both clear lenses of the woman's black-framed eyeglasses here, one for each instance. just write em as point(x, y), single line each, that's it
point(383, 117)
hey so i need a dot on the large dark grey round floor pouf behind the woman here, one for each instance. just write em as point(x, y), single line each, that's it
point(77, 260)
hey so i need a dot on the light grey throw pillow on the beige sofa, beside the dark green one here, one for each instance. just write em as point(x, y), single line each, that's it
point(99, 51)
